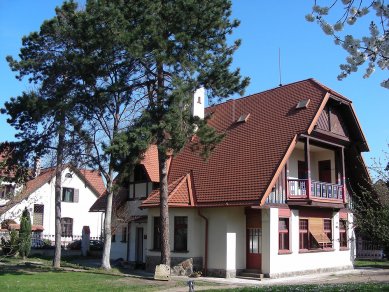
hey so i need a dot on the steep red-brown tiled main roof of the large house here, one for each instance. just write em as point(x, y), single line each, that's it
point(243, 167)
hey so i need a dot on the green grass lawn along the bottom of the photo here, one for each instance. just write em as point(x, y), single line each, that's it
point(37, 275)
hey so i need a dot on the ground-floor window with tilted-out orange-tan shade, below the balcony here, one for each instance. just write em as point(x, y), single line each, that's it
point(315, 233)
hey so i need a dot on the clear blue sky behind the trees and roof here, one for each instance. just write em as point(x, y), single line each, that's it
point(266, 27)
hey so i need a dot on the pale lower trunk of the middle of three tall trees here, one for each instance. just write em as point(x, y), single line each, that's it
point(105, 261)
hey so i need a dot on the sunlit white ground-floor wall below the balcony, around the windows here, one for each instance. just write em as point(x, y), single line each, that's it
point(275, 264)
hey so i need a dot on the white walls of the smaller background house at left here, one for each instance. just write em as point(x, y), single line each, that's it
point(79, 212)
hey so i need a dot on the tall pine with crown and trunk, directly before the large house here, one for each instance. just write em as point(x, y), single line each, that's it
point(182, 45)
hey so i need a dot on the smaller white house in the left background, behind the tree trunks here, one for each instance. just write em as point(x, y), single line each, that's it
point(80, 189)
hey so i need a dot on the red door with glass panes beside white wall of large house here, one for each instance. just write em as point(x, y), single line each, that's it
point(254, 240)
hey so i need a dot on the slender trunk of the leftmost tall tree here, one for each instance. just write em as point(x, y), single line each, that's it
point(58, 186)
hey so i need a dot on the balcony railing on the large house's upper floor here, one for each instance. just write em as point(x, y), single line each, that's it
point(298, 189)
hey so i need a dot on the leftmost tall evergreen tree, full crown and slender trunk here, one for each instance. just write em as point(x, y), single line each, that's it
point(46, 117)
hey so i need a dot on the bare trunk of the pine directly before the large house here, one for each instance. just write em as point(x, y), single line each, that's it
point(164, 209)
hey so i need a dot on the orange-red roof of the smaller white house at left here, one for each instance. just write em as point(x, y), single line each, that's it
point(92, 179)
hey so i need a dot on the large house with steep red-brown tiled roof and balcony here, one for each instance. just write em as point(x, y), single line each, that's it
point(273, 197)
